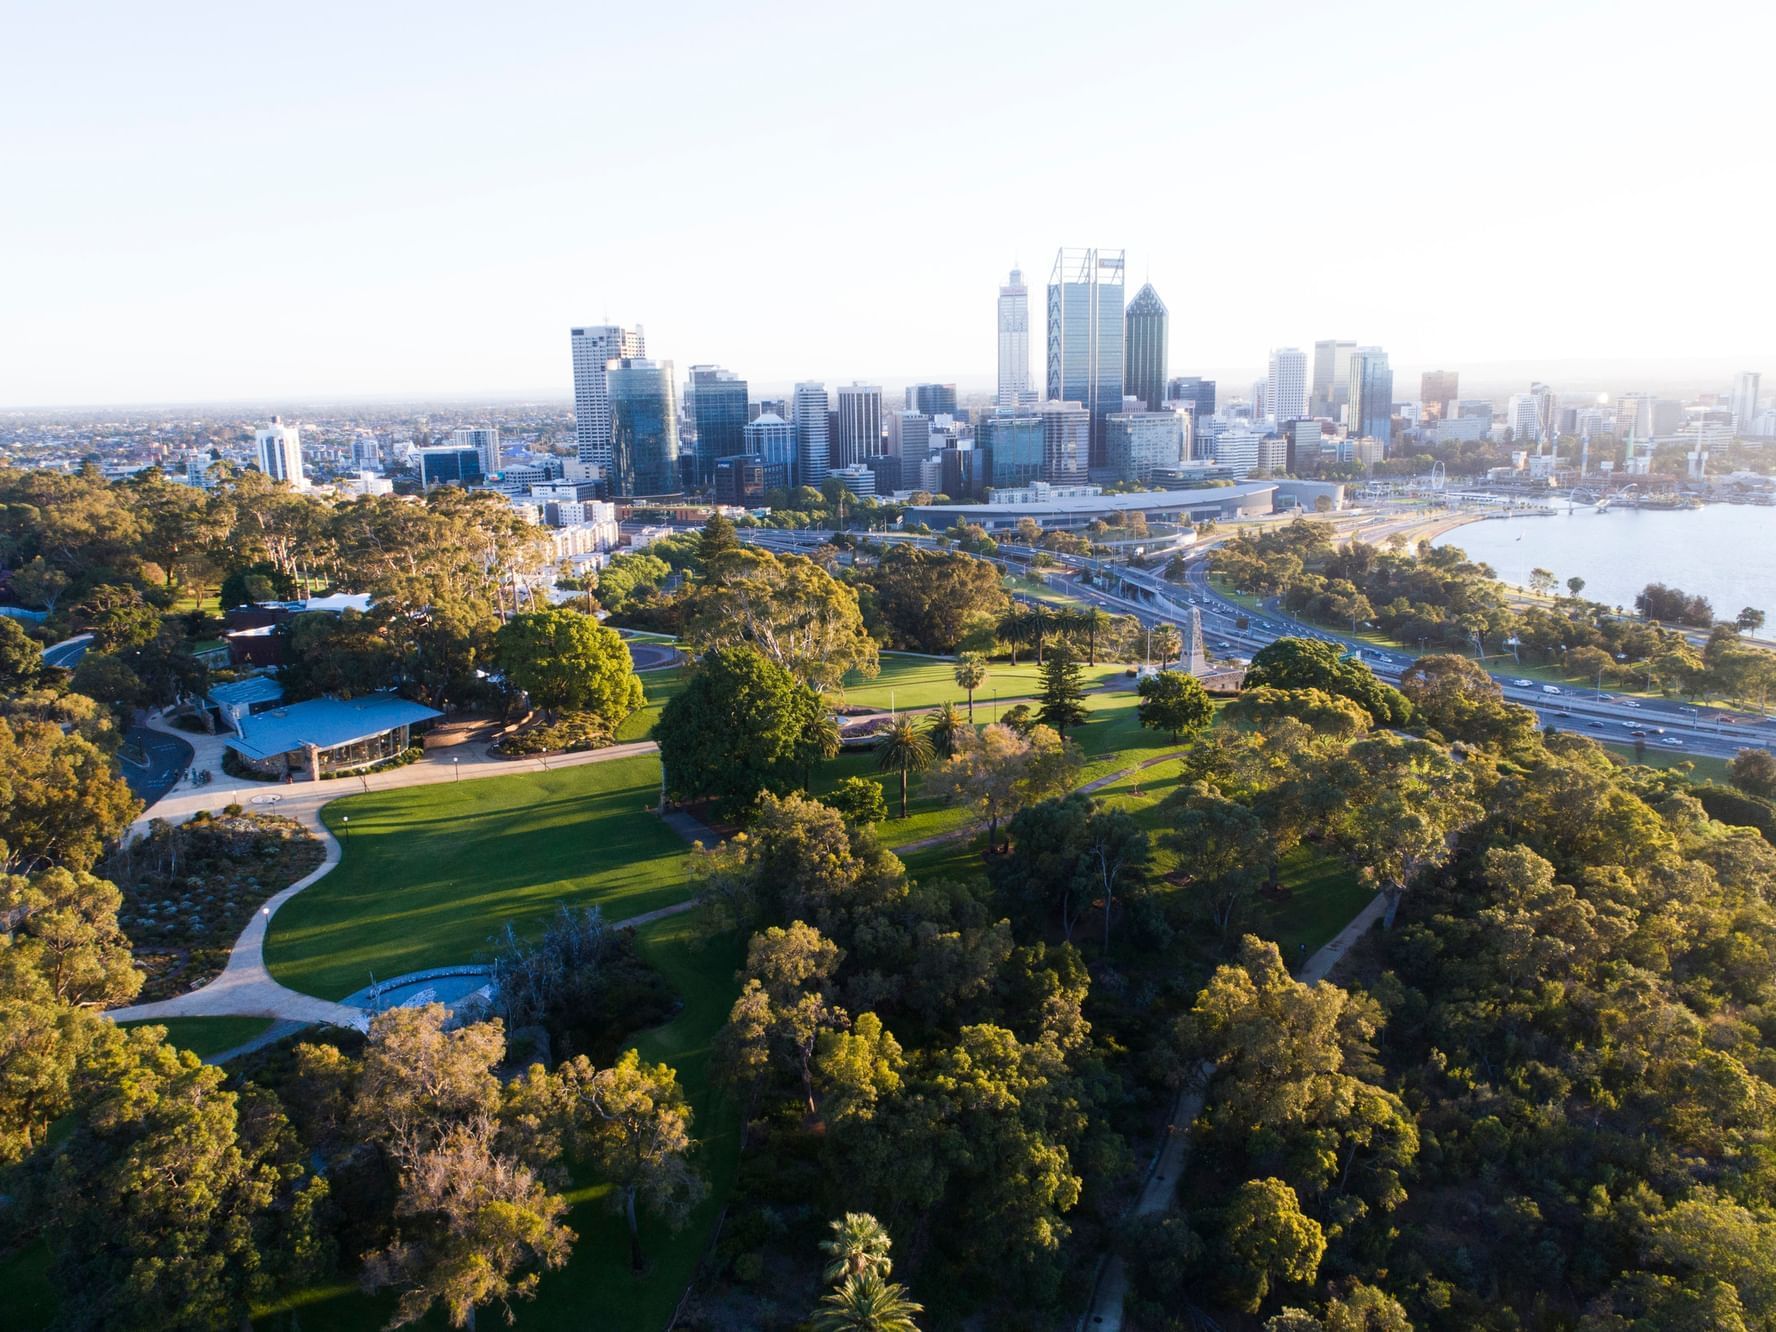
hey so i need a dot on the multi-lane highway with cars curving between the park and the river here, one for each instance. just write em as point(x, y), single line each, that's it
point(1235, 631)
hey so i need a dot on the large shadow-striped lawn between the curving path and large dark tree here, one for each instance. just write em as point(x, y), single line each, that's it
point(432, 873)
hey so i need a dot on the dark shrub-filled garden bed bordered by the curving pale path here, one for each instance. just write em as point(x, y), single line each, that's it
point(191, 891)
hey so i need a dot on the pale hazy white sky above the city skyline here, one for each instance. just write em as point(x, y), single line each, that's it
point(205, 202)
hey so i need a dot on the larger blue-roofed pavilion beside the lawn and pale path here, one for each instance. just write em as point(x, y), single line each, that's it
point(329, 734)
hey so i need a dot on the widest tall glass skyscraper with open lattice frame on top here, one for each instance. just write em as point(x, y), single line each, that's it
point(1086, 337)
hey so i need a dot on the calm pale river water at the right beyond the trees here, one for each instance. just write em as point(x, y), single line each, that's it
point(1724, 551)
